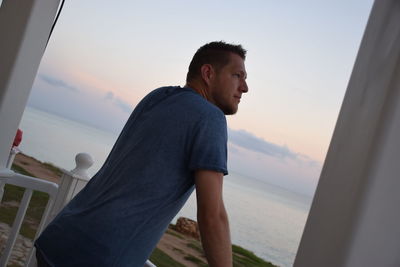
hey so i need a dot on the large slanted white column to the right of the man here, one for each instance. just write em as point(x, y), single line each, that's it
point(354, 219)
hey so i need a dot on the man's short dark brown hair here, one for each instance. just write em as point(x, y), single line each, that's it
point(215, 53)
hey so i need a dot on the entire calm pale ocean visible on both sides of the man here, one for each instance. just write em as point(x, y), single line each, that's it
point(264, 218)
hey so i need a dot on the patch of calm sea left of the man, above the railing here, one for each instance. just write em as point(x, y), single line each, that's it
point(57, 140)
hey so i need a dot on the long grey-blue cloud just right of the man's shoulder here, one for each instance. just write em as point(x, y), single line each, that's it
point(249, 141)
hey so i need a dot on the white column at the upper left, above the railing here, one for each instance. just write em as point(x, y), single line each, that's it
point(24, 28)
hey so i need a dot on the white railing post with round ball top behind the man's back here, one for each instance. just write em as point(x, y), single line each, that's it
point(72, 182)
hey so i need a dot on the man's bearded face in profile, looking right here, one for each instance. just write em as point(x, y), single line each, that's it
point(228, 85)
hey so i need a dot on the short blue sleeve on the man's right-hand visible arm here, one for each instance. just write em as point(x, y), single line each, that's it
point(209, 146)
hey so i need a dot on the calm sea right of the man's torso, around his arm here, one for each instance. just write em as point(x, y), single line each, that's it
point(265, 219)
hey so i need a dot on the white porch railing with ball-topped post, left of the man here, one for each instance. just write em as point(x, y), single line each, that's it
point(59, 195)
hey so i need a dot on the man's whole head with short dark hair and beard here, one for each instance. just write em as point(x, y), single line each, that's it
point(217, 72)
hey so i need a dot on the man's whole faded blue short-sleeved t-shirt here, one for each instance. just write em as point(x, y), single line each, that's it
point(119, 217)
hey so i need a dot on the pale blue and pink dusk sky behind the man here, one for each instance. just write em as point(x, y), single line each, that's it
point(103, 57)
